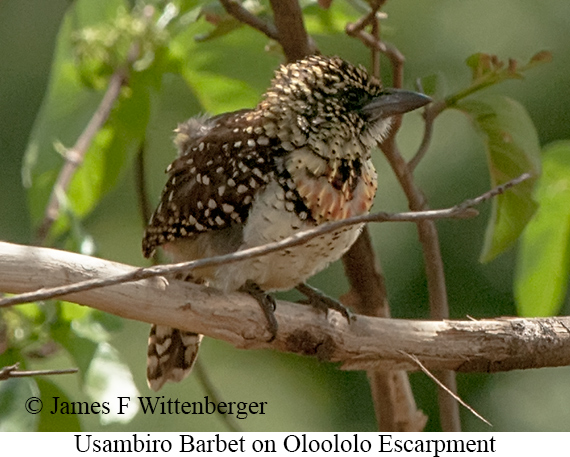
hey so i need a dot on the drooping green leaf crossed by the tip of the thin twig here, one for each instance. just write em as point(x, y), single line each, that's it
point(512, 148)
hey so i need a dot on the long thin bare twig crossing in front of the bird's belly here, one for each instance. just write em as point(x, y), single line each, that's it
point(459, 211)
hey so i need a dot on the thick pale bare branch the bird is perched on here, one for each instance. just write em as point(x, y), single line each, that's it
point(488, 345)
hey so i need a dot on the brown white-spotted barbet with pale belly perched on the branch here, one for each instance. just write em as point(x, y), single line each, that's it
point(301, 158)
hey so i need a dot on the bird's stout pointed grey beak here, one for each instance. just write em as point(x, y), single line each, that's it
point(393, 102)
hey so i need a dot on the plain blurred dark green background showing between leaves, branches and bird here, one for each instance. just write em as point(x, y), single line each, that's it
point(303, 394)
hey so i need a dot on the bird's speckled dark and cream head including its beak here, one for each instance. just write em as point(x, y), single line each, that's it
point(329, 103)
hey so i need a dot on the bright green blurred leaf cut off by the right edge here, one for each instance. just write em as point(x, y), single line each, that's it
point(543, 263)
